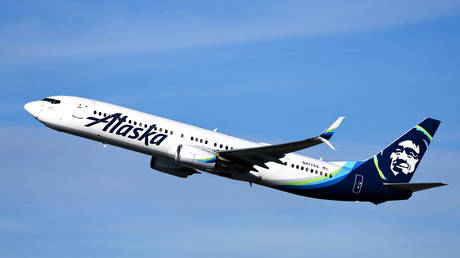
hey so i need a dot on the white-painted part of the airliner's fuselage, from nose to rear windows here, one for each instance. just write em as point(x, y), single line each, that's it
point(72, 115)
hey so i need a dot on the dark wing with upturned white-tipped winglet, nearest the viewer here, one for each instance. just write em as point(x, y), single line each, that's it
point(261, 154)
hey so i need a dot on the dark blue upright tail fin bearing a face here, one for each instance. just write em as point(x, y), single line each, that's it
point(398, 161)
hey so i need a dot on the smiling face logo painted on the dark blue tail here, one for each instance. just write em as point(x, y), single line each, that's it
point(405, 157)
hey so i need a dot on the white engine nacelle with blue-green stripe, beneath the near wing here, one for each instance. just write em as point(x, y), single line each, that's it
point(196, 157)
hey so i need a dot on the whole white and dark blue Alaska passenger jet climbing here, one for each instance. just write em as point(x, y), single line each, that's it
point(182, 150)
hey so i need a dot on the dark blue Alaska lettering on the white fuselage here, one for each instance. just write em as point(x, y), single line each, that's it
point(115, 121)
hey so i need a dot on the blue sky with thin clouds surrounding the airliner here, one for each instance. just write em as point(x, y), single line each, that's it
point(269, 71)
